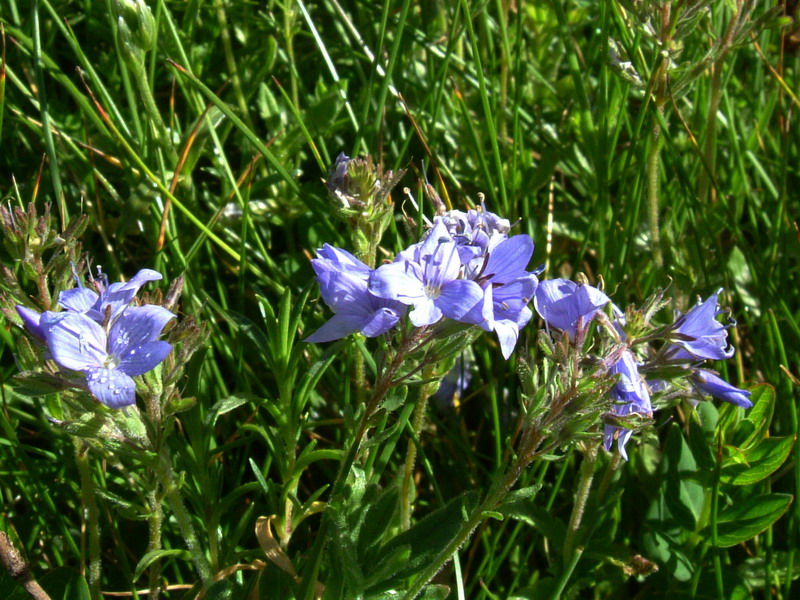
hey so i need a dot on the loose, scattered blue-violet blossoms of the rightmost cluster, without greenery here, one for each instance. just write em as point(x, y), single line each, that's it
point(693, 337)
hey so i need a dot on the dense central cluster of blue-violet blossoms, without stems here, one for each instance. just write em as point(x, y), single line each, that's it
point(466, 268)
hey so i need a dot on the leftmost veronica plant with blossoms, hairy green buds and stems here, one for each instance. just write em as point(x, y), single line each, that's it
point(99, 347)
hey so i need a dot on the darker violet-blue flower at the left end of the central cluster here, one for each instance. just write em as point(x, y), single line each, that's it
point(343, 282)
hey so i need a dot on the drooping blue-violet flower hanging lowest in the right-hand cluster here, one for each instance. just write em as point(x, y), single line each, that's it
point(630, 396)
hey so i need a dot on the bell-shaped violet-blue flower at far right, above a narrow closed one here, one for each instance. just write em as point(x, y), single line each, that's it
point(700, 335)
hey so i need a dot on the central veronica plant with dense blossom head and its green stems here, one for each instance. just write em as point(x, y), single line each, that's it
point(467, 274)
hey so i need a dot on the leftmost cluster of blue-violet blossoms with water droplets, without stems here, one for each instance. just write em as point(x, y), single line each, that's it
point(101, 336)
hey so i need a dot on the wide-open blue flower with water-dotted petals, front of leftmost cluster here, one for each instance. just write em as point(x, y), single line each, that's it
point(109, 358)
